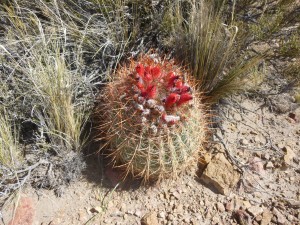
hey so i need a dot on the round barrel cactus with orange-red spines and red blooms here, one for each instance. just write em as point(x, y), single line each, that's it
point(151, 122)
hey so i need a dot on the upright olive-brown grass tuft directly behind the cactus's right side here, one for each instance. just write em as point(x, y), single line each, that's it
point(208, 47)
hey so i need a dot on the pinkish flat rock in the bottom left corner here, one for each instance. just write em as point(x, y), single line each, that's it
point(25, 213)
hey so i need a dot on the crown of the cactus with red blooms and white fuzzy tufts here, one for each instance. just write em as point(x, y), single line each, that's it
point(159, 94)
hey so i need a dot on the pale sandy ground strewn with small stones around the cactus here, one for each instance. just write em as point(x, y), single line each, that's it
point(249, 175)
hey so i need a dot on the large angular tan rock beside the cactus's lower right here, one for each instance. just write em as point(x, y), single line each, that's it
point(220, 174)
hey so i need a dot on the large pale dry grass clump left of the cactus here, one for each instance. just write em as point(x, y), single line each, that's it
point(57, 54)
